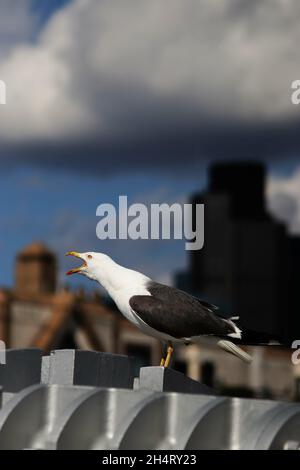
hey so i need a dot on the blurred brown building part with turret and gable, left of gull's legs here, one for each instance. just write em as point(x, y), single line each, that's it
point(35, 314)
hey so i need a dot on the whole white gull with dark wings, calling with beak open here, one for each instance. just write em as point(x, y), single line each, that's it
point(160, 311)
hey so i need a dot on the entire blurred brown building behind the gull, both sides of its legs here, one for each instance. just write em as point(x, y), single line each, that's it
point(34, 313)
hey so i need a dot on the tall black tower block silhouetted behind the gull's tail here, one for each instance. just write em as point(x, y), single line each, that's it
point(249, 265)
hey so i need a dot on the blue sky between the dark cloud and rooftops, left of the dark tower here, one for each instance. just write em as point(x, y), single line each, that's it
point(60, 209)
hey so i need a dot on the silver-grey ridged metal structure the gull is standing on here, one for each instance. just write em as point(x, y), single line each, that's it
point(85, 400)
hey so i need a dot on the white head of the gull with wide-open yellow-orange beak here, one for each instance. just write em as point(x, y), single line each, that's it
point(91, 264)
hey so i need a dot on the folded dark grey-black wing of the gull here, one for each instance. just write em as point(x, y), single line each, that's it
point(178, 314)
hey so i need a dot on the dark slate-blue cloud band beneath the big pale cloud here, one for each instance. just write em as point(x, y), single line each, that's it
point(168, 152)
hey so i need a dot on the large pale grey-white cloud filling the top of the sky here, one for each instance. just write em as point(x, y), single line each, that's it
point(110, 68)
